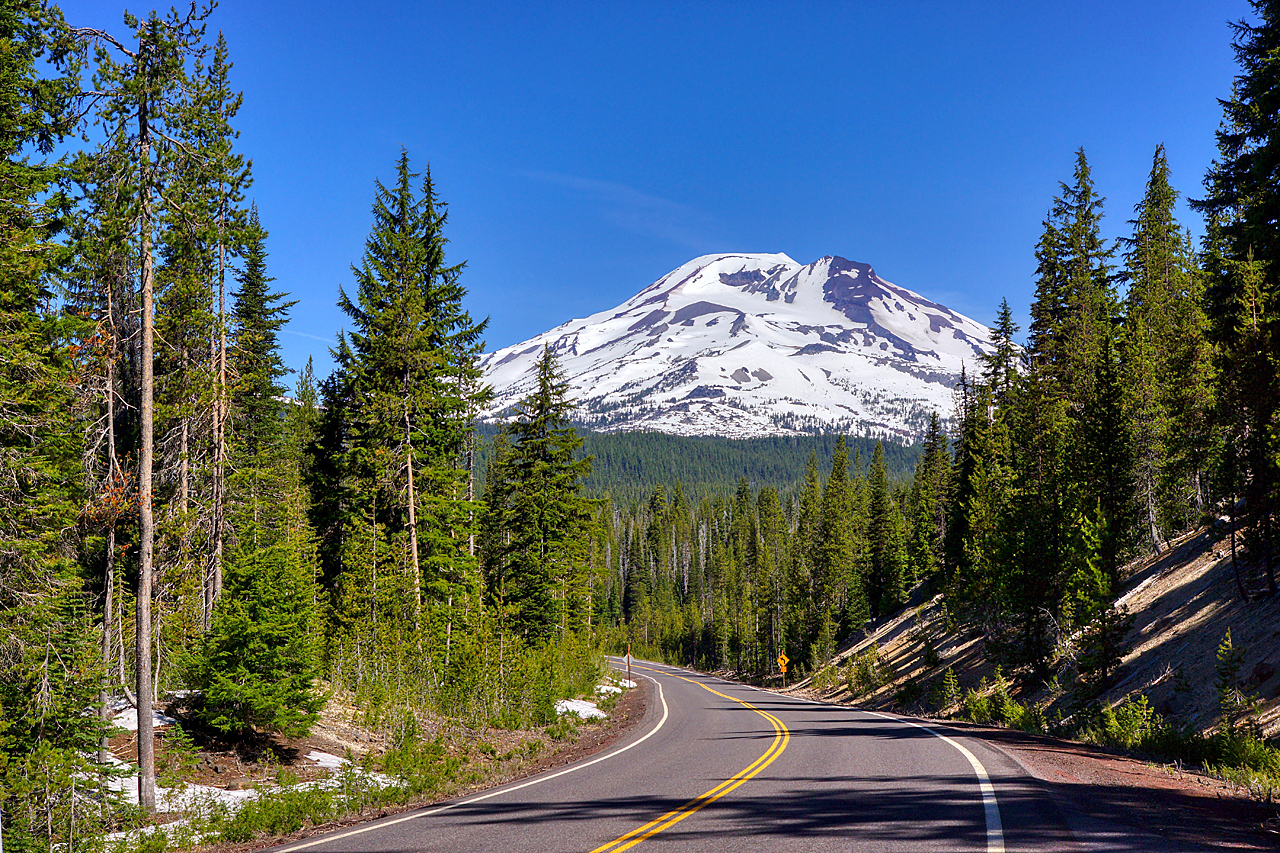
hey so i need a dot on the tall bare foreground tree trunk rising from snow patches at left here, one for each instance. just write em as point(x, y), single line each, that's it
point(147, 522)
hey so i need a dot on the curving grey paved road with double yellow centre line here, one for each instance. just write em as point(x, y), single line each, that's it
point(720, 767)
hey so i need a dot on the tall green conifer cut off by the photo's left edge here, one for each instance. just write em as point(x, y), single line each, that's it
point(49, 667)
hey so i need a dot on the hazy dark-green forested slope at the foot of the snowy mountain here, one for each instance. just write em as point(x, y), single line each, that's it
point(629, 466)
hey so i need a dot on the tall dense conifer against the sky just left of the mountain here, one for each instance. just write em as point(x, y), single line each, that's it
point(410, 389)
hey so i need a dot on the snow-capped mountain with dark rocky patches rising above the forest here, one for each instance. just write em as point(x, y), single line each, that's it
point(757, 345)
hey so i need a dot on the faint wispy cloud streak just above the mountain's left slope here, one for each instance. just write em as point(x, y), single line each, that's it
point(639, 212)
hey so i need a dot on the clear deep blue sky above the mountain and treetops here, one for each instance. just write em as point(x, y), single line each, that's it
point(588, 149)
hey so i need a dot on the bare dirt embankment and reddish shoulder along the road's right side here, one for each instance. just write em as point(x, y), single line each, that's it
point(1183, 603)
